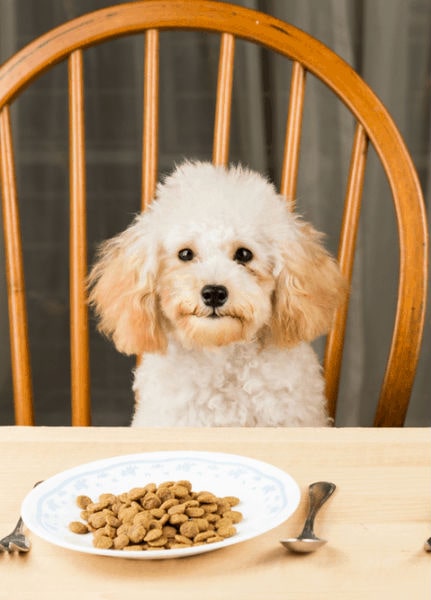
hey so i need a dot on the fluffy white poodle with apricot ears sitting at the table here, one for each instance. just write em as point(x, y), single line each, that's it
point(219, 287)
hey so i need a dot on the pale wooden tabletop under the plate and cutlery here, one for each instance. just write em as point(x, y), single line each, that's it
point(376, 522)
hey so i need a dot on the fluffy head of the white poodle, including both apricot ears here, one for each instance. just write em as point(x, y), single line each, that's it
point(217, 258)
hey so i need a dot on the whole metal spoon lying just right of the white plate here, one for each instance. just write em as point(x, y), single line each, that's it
point(307, 541)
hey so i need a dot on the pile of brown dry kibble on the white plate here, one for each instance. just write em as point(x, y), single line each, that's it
point(153, 517)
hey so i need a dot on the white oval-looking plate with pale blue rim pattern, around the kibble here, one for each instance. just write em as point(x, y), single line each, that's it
point(268, 495)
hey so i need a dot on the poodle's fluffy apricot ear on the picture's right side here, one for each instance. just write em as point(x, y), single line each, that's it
point(308, 290)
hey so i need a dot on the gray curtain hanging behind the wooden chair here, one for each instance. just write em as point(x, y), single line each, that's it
point(386, 41)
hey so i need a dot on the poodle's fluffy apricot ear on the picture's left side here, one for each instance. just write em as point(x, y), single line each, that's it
point(122, 292)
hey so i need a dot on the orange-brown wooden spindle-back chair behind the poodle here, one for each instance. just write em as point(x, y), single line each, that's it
point(373, 126)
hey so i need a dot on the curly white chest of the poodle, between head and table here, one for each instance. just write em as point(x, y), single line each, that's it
point(239, 385)
